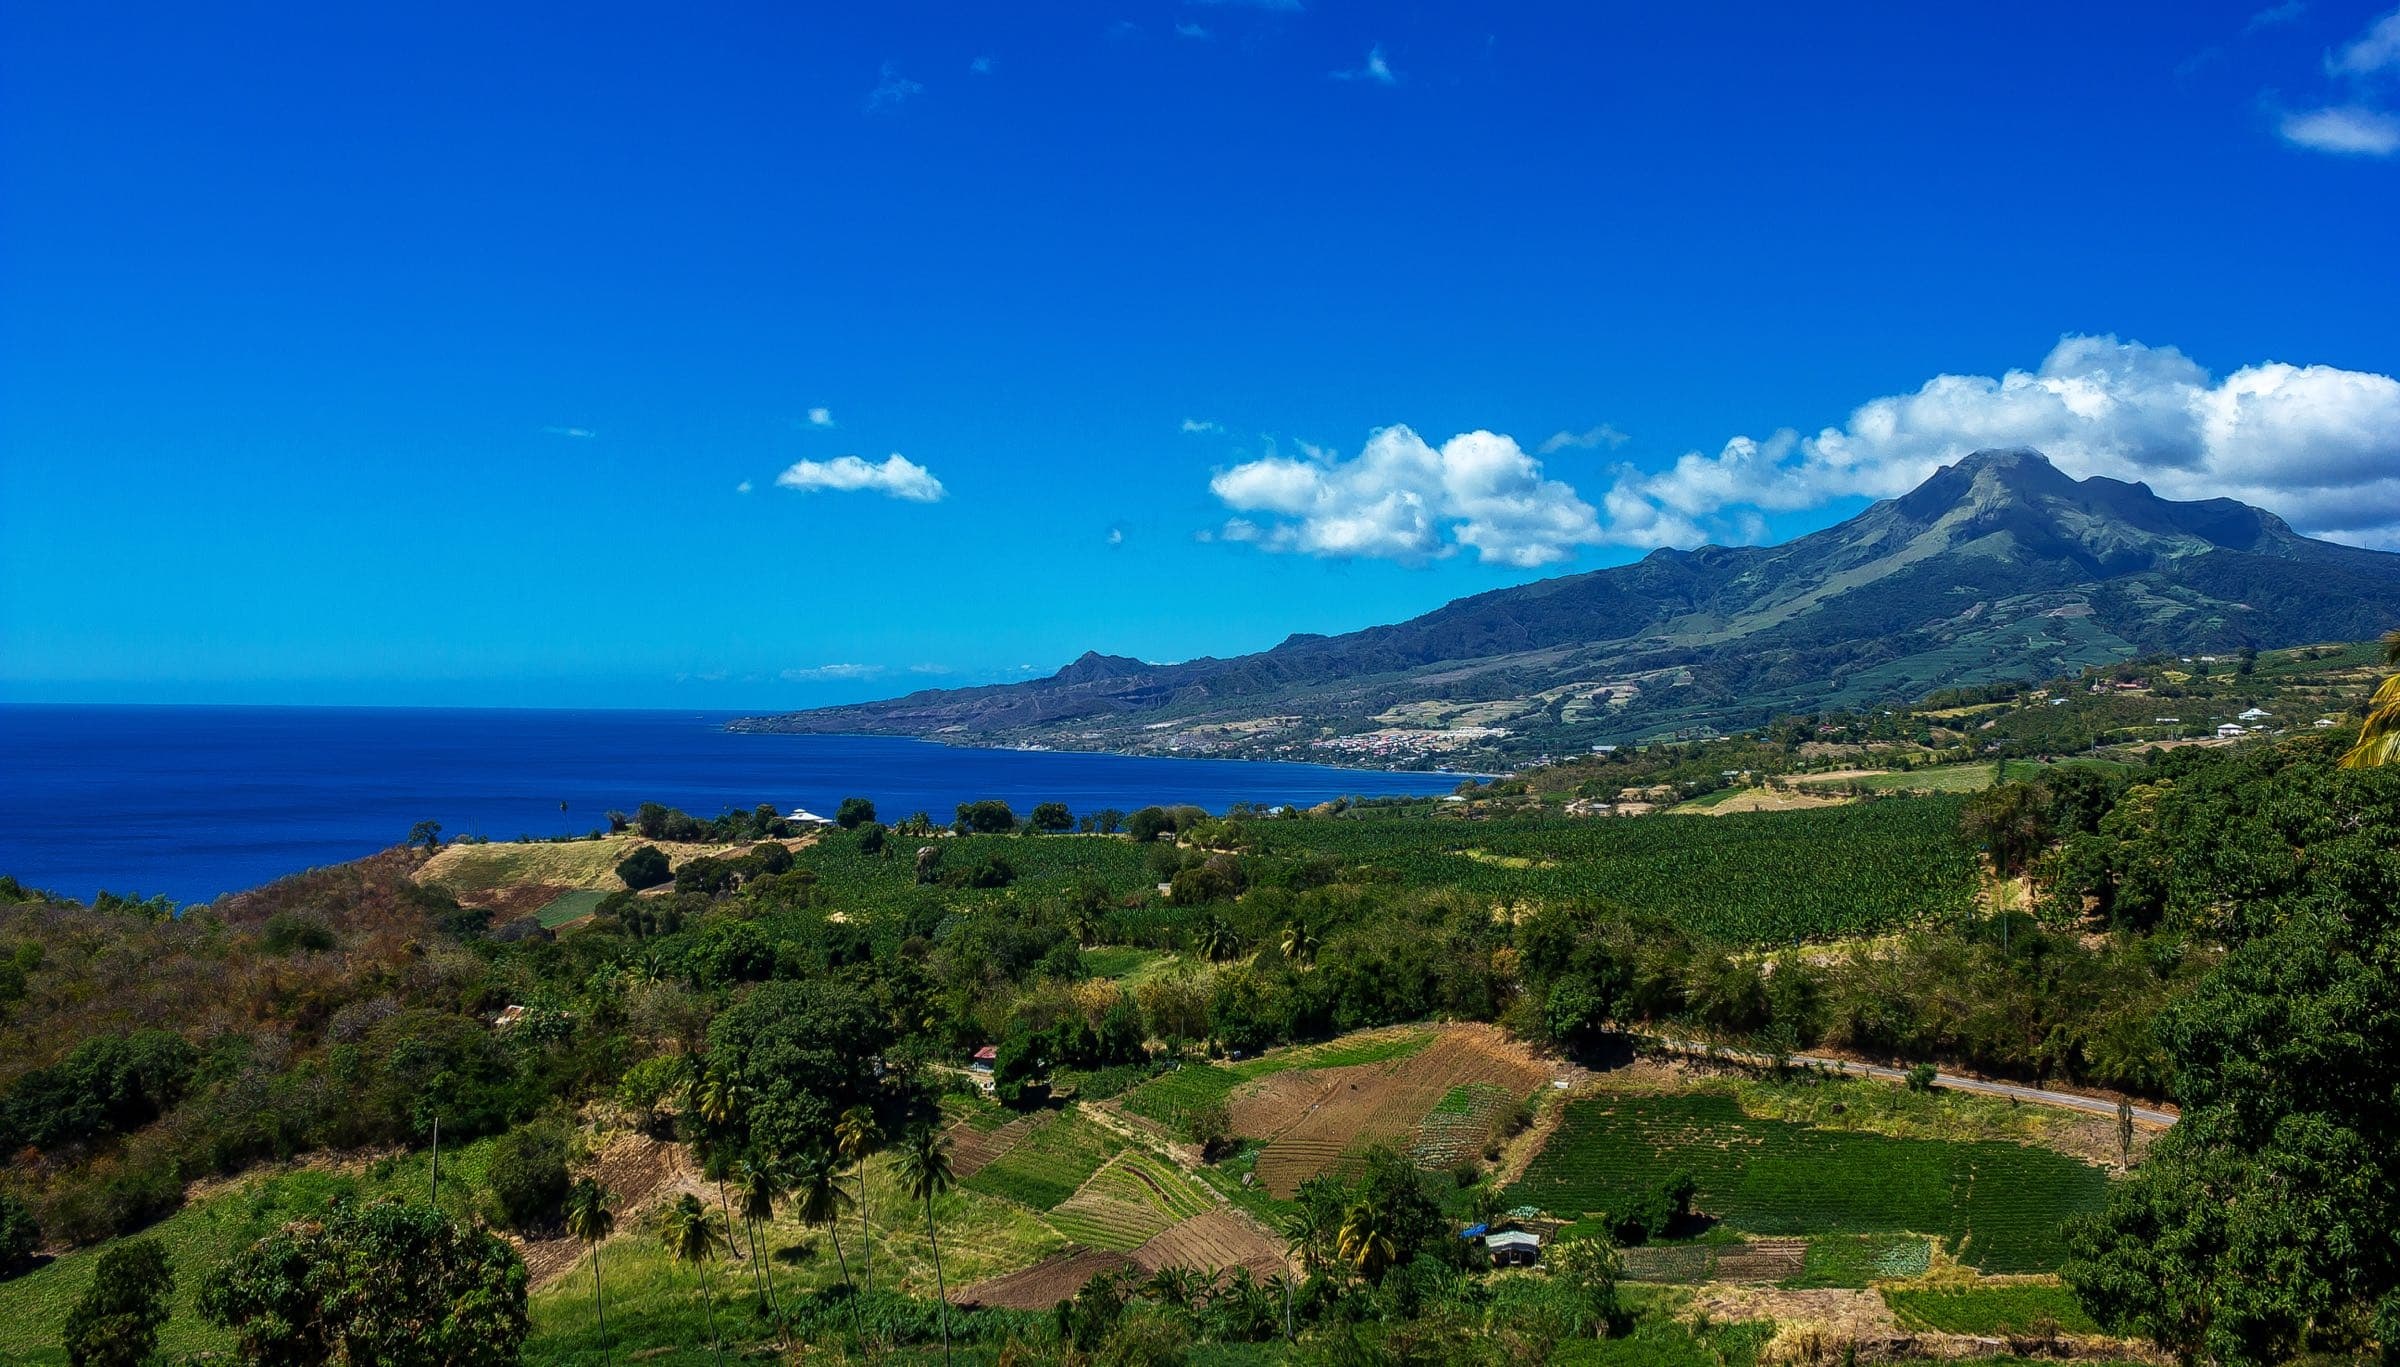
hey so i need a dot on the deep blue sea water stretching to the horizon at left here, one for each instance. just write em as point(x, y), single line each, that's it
point(196, 802)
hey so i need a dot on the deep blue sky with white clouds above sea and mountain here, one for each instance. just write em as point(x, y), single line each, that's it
point(424, 354)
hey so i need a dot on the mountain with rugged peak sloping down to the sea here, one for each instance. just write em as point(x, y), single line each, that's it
point(1998, 567)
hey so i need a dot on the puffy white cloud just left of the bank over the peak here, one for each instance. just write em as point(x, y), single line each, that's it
point(1410, 502)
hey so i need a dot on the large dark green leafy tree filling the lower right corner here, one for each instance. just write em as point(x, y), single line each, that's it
point(2260, 1224)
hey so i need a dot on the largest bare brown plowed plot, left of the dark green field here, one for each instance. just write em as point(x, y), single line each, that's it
point(1319, 1116)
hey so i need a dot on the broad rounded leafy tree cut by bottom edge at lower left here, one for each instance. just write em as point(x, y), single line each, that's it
point(390, 1284)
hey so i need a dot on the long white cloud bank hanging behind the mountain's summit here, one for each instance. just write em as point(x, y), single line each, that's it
point(2310, 442)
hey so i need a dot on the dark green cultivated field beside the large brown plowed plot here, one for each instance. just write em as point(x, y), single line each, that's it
point(1998, 1205)
